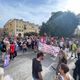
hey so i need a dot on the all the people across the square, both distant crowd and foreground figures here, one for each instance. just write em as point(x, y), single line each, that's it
point(30, 43)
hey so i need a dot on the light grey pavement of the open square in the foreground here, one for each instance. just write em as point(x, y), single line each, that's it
point(21, 67)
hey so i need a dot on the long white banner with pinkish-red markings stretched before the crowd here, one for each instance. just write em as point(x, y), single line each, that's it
point(49, 49)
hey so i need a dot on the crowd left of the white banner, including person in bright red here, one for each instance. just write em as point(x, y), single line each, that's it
point(9, 48)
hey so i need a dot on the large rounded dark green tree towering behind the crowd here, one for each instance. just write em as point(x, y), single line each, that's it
point(60, 24)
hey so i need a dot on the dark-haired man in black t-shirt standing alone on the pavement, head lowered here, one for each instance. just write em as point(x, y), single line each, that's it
point(37, 67)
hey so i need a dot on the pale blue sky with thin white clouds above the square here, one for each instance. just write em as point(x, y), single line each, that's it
point(35, 11)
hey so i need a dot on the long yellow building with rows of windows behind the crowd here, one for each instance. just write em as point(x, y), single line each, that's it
point(17, 26)
